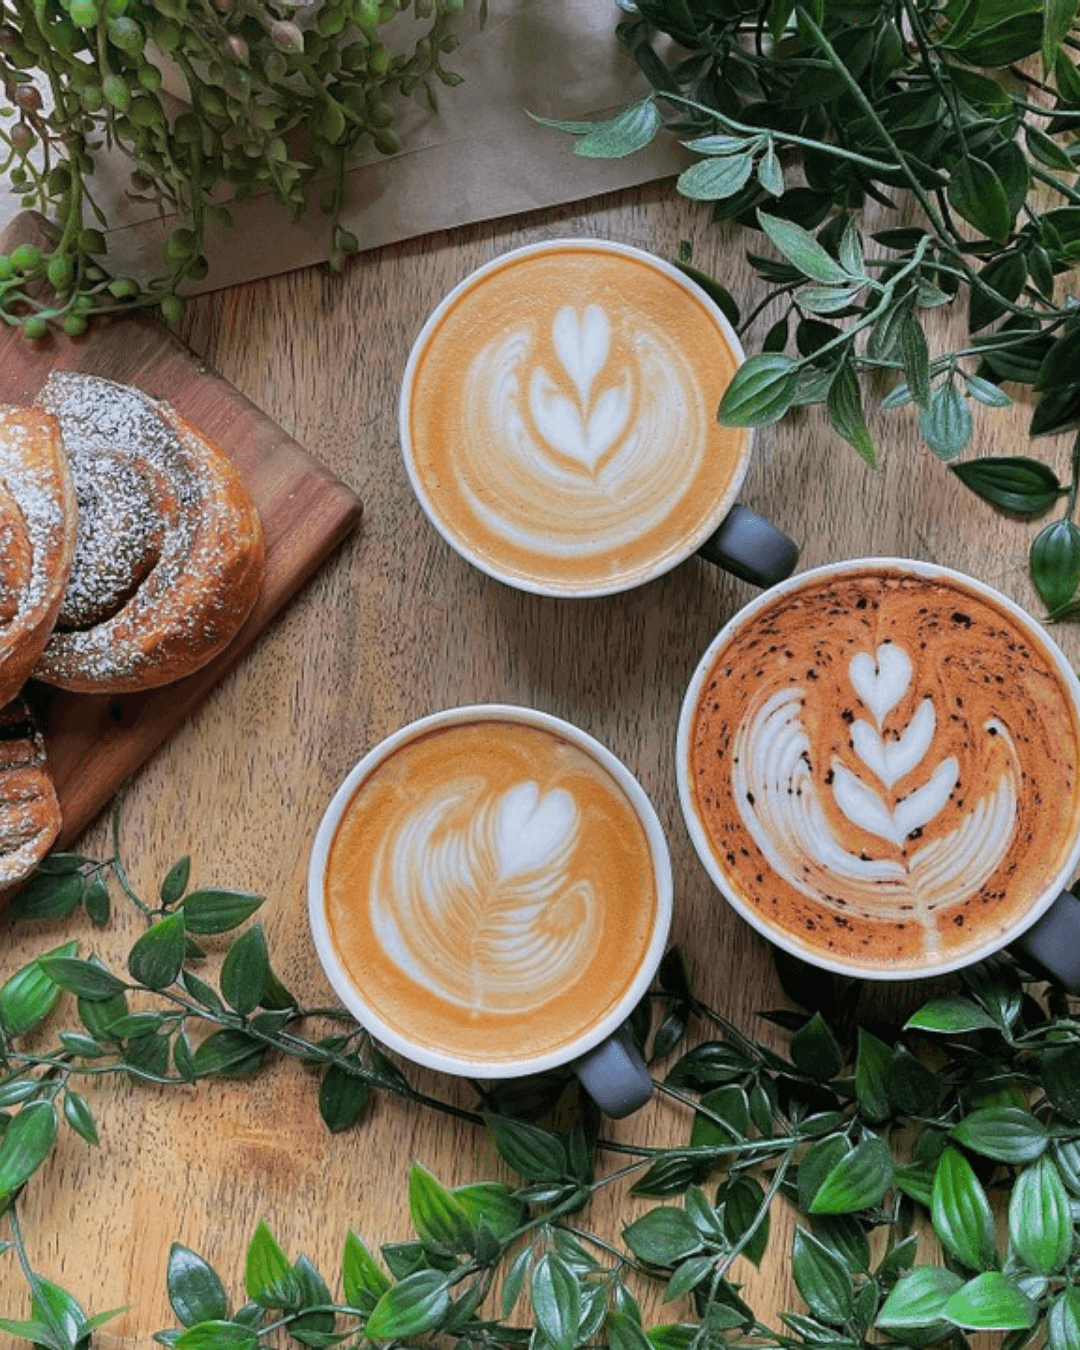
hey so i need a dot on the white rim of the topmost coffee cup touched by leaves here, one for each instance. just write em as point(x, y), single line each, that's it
point(581, 244)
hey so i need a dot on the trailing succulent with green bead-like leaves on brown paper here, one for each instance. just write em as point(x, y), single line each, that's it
point(280, 101)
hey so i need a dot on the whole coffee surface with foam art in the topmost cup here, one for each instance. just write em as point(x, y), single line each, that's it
point(564, 421)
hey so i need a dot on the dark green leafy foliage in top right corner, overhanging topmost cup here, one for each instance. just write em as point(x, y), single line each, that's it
point(797, 117)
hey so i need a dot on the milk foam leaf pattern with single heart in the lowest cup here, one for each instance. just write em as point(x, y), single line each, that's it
point(487, 915)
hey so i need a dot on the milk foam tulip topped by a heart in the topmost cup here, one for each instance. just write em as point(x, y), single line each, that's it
point(585, 435)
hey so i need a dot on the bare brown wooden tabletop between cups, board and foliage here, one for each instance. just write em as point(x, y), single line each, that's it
point(396, 626)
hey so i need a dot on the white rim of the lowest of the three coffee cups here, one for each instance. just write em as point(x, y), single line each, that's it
point(345, 986)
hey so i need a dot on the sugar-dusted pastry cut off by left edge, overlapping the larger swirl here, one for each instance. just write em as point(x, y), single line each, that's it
point(37, 539)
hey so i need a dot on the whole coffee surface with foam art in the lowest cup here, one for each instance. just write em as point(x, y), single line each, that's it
point(491, 892)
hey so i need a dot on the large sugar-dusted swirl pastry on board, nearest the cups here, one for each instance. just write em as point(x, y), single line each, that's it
point(169, 556)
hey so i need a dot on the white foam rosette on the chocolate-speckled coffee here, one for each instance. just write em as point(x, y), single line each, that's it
point(907, 878)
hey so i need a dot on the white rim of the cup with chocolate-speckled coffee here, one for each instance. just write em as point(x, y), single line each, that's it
point(780, 938)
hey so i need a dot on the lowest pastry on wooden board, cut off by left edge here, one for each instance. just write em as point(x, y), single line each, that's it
point(30, 816)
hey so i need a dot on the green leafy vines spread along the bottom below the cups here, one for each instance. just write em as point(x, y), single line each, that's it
point(934, 1168)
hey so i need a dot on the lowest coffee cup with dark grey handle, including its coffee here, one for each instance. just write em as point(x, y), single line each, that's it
point(469, 894)
